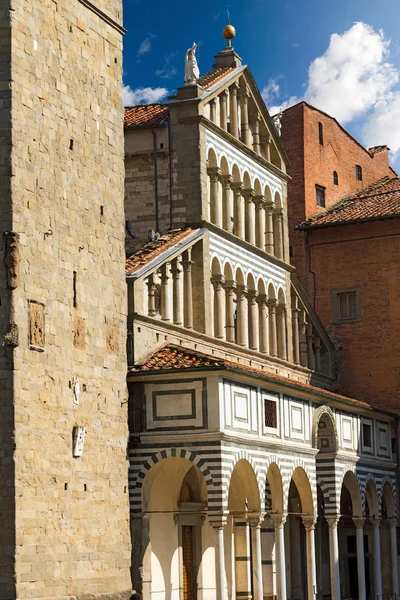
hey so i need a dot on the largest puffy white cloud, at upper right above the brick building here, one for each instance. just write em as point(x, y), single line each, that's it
point(353, 75)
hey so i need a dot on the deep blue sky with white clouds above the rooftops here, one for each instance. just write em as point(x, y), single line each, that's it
point(341, 55)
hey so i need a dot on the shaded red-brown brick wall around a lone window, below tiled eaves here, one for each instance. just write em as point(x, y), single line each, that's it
point(365, 255)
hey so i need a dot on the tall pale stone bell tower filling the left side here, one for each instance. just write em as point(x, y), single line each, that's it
point(64, 511)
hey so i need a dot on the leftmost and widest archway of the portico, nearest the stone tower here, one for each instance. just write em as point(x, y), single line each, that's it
point(172, 536)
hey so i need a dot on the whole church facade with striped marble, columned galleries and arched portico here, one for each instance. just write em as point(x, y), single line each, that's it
point(250, 475)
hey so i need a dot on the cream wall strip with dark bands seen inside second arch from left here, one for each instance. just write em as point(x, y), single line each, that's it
point(242, 558)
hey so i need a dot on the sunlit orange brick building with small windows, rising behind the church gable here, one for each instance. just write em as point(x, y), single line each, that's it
point(313, 164)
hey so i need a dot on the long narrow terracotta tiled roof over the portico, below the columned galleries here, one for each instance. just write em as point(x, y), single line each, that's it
point(174, 358)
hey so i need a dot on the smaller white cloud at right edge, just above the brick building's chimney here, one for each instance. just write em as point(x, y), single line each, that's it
point(382, 125)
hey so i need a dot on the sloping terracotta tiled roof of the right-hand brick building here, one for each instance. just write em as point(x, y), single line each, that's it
point(381, 200)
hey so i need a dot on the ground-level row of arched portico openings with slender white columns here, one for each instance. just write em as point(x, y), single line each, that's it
point(282, 542)
